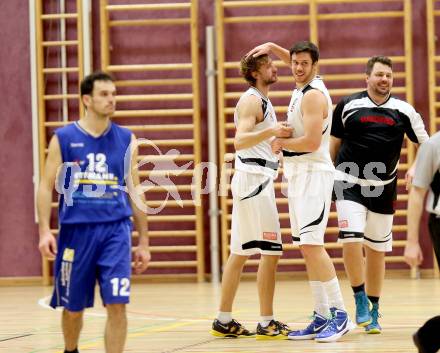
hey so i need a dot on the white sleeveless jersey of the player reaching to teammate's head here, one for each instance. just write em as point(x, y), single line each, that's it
point(319, 160)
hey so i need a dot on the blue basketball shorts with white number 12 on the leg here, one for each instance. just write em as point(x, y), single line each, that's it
point(90, 253)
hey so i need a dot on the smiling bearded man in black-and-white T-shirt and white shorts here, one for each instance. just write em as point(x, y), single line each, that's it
point(367, 135)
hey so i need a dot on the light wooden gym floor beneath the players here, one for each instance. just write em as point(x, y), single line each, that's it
point(176, 317)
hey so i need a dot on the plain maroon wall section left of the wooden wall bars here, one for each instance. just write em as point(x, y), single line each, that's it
point(18, 234)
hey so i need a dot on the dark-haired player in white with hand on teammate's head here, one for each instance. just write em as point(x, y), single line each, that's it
point(310, 174)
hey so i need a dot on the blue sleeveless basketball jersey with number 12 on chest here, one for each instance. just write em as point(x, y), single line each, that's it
point(92, 180)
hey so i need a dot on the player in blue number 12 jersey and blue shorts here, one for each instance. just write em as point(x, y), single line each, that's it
point(94, 242)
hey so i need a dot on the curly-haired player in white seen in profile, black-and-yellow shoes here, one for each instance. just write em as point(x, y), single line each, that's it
point(255, 227)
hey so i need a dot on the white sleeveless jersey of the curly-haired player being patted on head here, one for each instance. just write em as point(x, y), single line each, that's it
point(258, 159)
